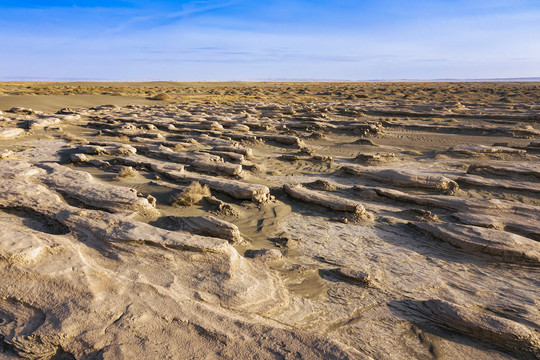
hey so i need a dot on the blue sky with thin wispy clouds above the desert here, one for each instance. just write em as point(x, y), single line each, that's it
point(134, 40)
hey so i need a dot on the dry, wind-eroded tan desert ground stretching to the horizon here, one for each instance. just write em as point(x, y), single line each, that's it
point(272, 221)
